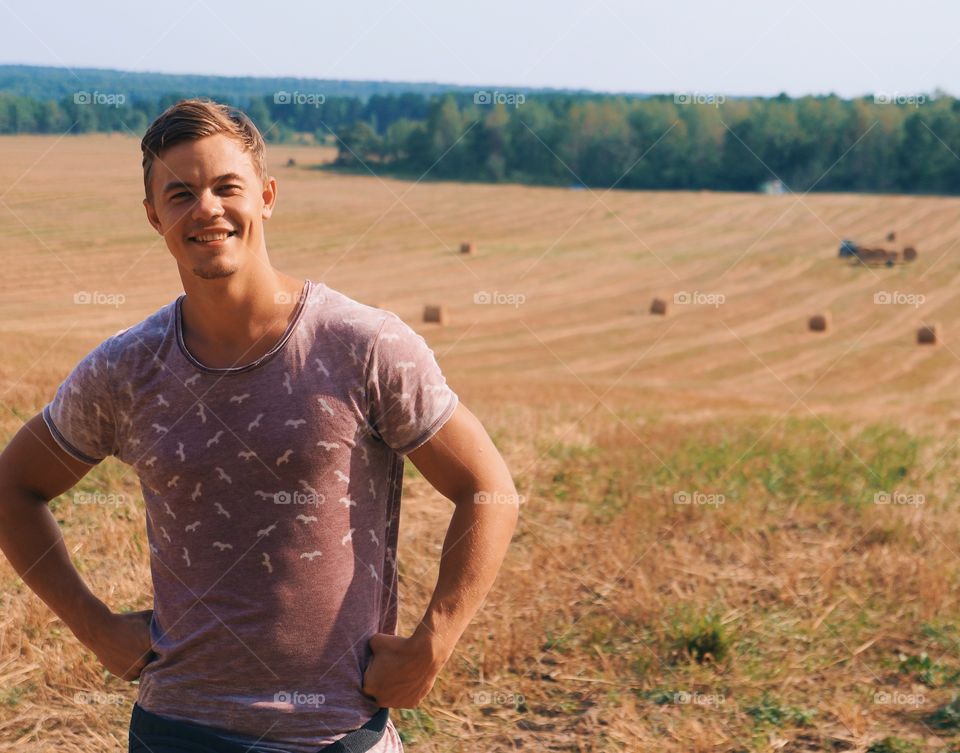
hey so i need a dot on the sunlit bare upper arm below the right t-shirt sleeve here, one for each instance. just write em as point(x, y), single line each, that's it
point(461, 459)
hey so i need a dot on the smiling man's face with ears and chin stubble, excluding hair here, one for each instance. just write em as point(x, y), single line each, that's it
point(209, 204)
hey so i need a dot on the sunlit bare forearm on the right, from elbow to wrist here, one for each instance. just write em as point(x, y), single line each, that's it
point(474, 548)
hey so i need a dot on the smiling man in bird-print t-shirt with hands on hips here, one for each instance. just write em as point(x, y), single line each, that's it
point(267, 418)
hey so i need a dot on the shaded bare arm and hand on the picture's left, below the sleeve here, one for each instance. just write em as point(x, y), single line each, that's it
point(33, 470)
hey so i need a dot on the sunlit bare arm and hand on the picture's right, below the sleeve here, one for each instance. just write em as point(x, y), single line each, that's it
point(462, 463)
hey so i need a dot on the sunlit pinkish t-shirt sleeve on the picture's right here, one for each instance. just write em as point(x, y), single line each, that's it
point(409, 399)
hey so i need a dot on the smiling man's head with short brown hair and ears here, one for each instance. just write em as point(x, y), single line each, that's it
point(207, 188)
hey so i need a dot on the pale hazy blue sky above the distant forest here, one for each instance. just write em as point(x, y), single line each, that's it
point(740, 47)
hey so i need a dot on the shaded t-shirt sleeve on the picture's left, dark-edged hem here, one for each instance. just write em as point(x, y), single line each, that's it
point(81, 415)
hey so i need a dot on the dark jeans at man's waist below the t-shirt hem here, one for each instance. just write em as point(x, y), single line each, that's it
point(150, 733)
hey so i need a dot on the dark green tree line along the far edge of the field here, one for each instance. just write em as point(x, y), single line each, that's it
point(823, 143)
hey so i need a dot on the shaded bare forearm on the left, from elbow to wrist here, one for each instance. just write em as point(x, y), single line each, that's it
point(31, 540)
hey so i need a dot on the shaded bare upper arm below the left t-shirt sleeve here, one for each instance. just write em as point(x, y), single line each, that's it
point(34, 462)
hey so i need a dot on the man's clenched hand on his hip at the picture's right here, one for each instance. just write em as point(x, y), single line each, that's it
point(402, 670)
